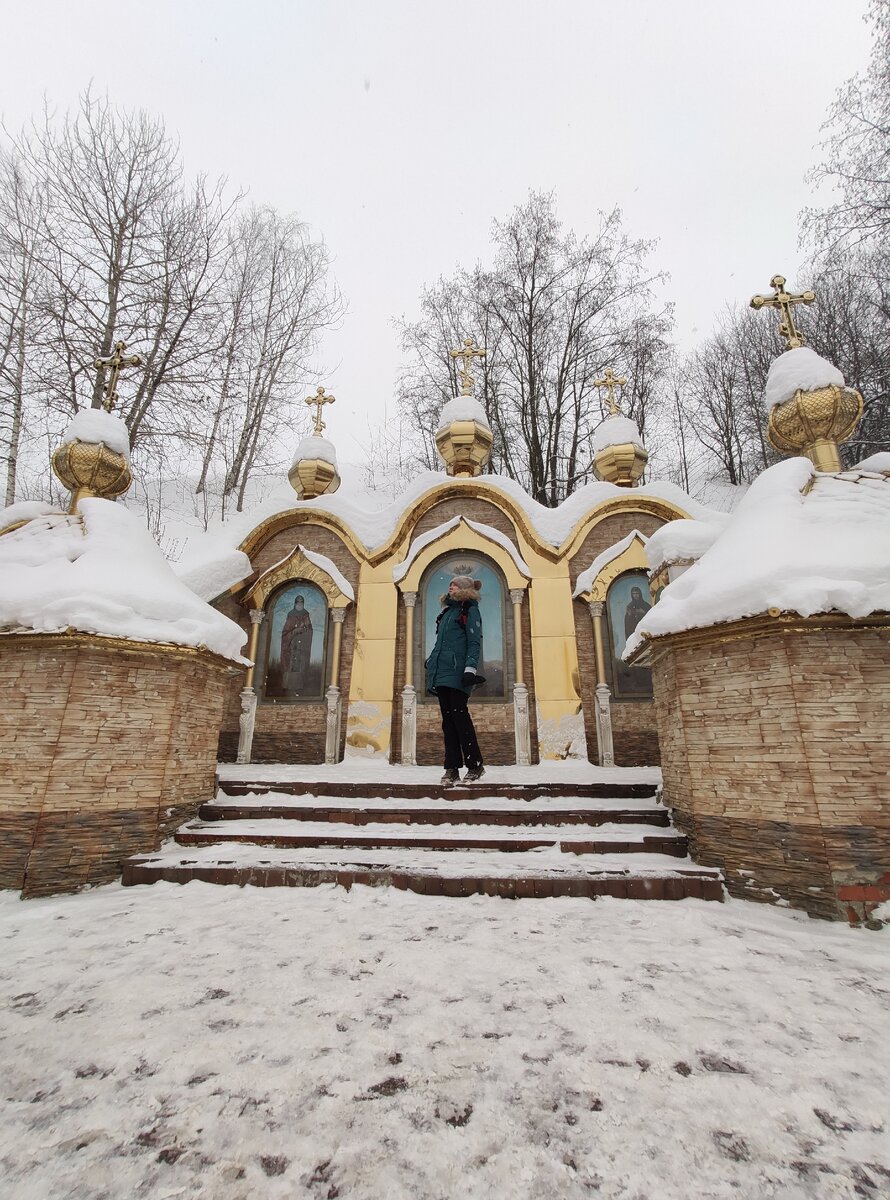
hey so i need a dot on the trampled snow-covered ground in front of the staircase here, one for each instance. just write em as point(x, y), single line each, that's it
point(213, 1042)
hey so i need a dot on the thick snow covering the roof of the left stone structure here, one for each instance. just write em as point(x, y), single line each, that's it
point(101, 573)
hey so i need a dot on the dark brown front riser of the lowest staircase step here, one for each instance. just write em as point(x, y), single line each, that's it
point(673, 887)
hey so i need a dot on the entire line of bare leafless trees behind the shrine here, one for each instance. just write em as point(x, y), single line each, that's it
point(104, 238)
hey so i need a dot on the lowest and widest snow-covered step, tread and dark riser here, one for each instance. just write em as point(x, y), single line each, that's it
point(543, 873)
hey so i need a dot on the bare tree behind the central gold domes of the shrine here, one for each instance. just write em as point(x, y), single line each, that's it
point(552, 313)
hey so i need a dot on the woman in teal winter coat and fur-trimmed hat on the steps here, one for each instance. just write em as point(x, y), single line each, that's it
point(452, 675)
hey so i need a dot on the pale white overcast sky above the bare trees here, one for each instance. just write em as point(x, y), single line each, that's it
point(400, 130)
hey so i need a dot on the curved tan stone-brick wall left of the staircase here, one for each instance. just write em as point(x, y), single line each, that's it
point(107, 748)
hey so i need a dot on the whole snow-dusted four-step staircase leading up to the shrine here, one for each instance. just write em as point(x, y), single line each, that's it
point(496, 838)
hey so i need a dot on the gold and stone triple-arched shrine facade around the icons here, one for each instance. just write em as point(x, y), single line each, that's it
point(372, 591)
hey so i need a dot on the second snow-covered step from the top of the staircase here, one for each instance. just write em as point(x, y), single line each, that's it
point(407, 811)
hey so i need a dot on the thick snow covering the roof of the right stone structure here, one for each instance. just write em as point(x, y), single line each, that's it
point(799, 542)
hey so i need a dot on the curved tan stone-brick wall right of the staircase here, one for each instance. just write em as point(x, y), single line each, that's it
point(775, 748)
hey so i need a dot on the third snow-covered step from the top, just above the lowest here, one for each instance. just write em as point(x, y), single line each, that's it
point(578, 839)
